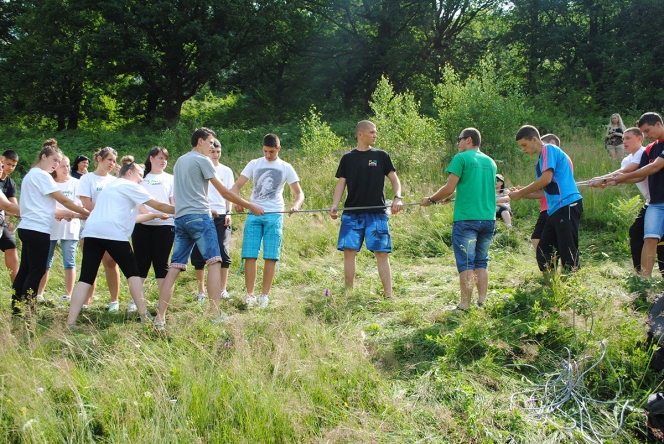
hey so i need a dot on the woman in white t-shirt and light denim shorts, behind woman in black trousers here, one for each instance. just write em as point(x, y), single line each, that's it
point(65, 230)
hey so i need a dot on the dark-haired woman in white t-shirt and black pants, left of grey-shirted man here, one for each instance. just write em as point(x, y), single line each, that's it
point(153, 239)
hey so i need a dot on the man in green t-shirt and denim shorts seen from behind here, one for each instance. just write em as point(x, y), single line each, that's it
point(472, 174)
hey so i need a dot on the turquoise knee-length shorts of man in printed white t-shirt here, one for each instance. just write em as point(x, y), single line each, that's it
point(268, 229)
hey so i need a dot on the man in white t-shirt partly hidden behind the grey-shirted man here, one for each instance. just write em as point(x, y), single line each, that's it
point(221, 210)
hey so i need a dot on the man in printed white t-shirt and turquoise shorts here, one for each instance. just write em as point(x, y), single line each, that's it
point(269, 174)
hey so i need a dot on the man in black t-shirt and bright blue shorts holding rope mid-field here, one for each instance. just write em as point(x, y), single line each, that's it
point(363, 172)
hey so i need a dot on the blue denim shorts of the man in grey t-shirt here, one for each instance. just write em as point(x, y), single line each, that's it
point(195, 229)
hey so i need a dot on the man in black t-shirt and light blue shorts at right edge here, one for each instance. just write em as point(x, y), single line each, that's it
point(652, 166)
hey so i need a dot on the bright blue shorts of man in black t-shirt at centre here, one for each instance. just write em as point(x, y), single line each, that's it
point(355, 228)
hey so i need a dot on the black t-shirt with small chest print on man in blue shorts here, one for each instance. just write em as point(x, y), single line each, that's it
point(365, 173)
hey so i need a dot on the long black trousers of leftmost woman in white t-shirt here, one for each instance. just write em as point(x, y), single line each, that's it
point(34, 256)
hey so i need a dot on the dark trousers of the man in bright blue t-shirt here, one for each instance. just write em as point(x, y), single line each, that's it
point(561, 237)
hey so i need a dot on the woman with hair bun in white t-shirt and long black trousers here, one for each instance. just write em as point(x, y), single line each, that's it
point(39, 194)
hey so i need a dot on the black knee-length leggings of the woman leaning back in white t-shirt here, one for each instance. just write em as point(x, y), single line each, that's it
point(93, 251)
